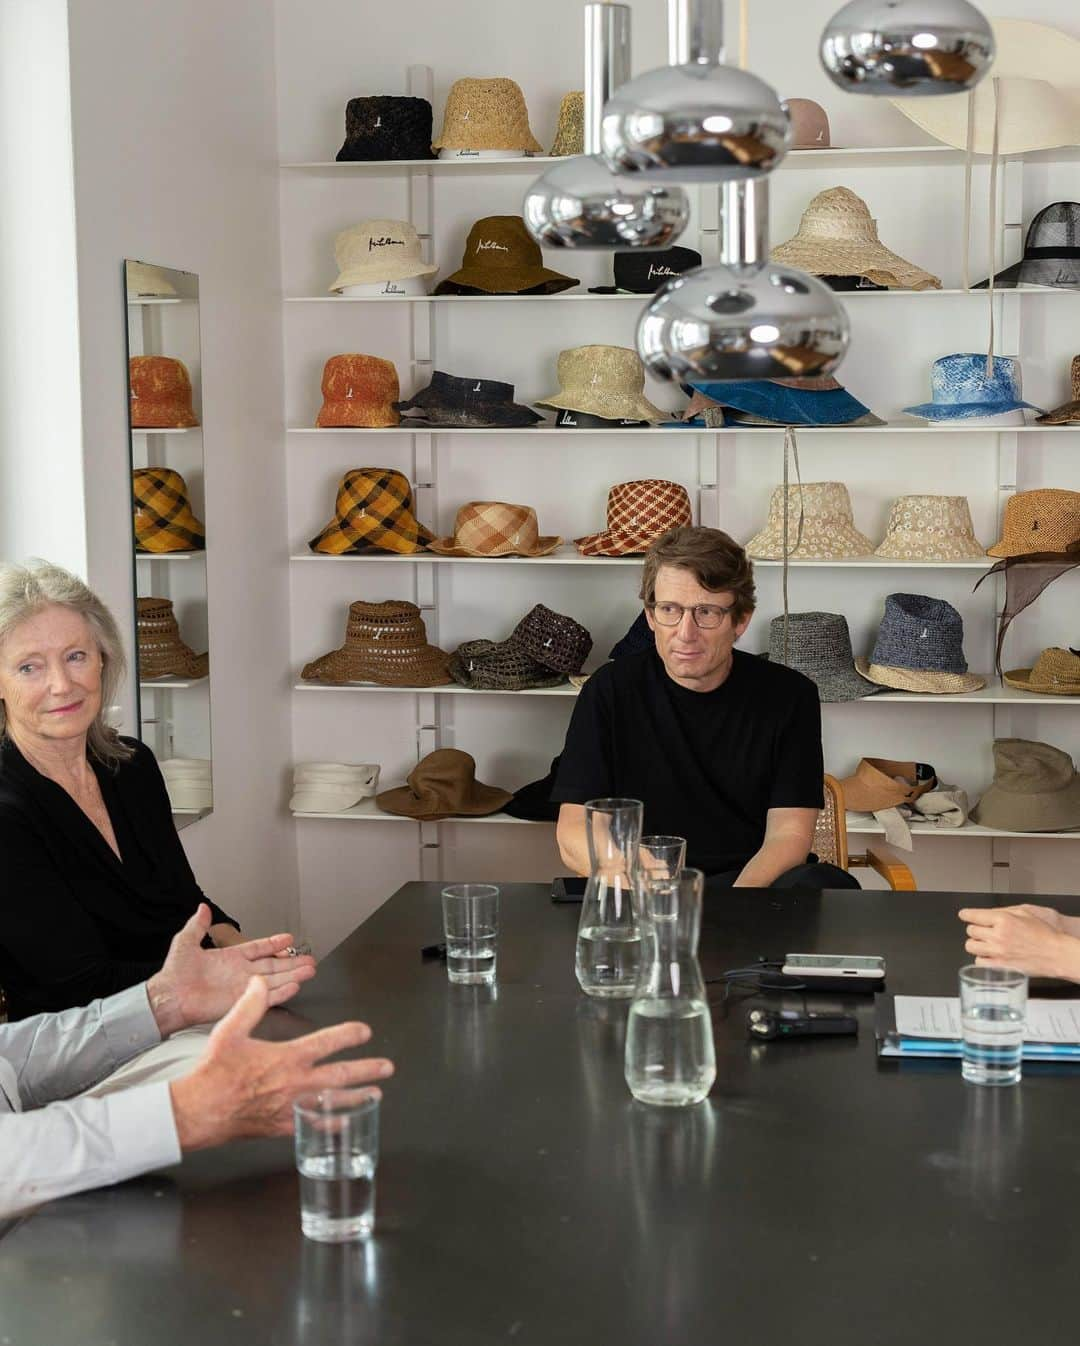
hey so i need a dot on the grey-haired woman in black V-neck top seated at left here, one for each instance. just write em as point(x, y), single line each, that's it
point(94, 878)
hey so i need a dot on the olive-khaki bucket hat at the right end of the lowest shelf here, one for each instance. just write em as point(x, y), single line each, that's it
point(1035, 789)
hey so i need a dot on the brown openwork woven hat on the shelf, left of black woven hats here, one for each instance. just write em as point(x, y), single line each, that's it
point(386, 644)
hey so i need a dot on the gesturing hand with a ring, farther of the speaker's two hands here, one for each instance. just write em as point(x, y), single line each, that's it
point(200, 986)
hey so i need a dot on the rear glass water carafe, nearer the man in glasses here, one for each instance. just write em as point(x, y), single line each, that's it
point(608, 954)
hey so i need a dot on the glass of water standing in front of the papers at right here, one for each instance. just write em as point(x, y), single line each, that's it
point(993, 1013)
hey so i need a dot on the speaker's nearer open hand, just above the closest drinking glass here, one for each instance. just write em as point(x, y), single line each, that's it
point(243, 1087)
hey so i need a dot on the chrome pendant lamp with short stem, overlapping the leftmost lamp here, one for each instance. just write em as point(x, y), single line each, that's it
point(696, 120)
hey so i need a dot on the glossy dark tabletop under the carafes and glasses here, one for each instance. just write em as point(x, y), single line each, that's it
point(818, 1196)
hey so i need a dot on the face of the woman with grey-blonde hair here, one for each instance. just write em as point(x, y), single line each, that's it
point(50, 676)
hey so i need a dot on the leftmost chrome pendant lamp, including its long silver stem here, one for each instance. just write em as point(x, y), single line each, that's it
point(580, 203)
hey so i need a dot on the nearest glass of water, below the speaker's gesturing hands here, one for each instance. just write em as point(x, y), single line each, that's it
point(337, 1156)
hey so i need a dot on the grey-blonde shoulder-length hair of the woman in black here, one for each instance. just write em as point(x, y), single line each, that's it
point(28, 590)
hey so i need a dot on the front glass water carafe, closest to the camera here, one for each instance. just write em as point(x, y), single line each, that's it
point(671, 1059)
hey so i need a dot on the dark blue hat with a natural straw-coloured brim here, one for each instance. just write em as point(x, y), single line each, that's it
point(920, 648)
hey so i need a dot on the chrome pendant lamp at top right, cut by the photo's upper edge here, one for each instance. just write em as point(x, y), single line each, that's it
point(908, 48)
